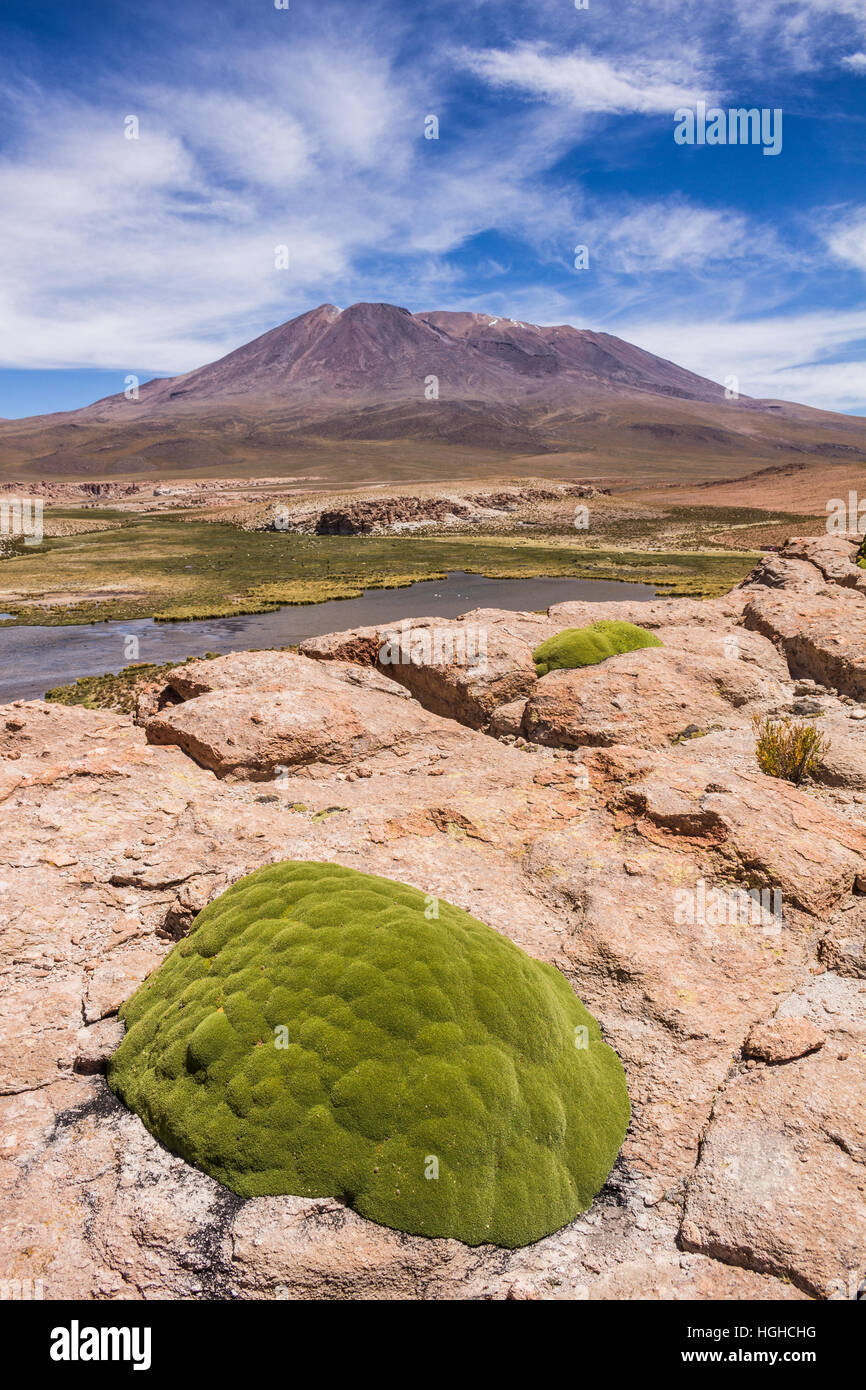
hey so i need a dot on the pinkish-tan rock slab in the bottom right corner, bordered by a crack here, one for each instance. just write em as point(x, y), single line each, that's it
point(781, 1181)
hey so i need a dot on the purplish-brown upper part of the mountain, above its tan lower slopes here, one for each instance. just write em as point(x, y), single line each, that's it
point(377, 352)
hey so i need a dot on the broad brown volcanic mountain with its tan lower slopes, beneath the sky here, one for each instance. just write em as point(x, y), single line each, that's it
point(350, 395)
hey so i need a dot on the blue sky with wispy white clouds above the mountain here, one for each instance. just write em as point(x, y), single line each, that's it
point(307, 129)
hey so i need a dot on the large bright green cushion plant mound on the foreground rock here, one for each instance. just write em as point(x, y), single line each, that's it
point(323, 1032)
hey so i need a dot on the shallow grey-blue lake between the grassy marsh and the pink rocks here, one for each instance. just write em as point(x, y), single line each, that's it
point(34, 660)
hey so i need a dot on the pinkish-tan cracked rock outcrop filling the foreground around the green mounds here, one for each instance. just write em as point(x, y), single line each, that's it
point(712, 919)
